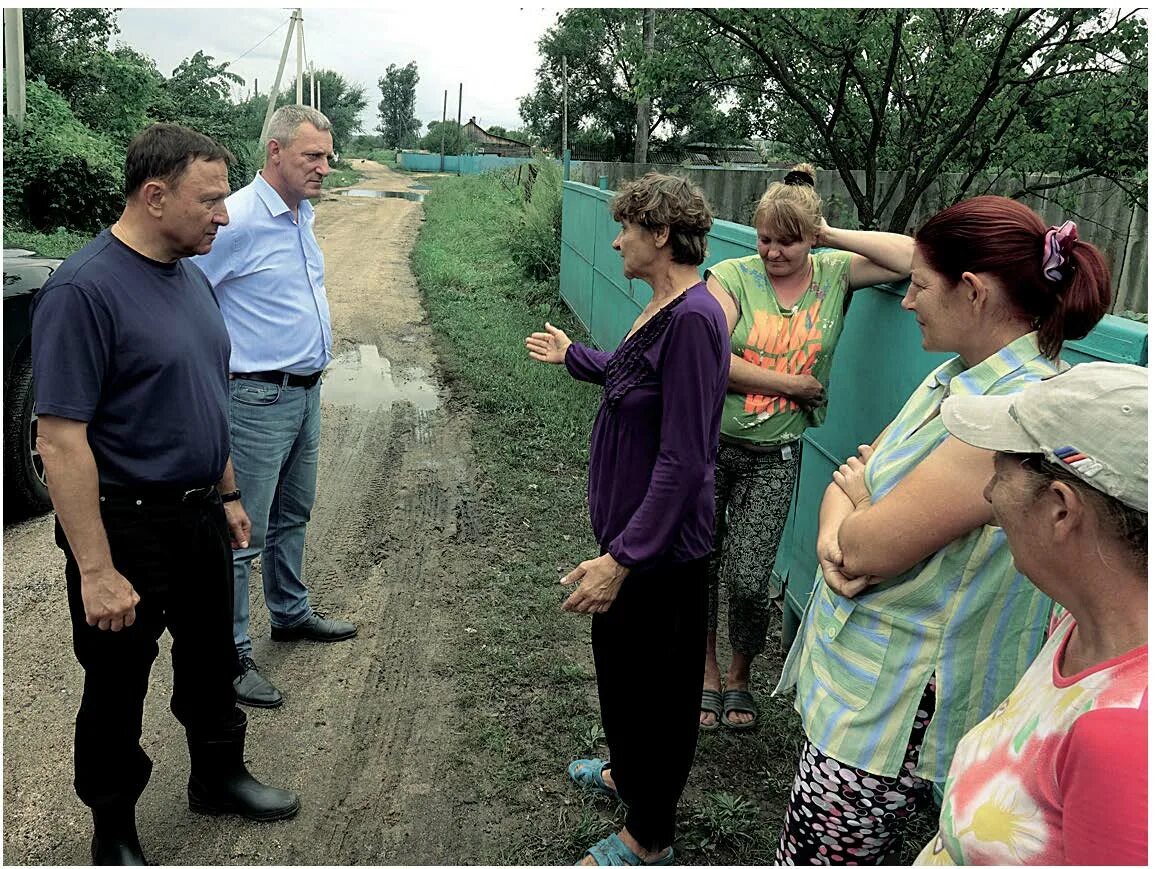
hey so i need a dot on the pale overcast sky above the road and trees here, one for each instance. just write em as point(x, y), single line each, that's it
point(491, 48)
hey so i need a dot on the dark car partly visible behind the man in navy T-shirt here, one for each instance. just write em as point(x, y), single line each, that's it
point(25, 274)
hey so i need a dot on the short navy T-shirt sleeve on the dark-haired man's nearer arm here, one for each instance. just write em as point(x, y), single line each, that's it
point(73, 336)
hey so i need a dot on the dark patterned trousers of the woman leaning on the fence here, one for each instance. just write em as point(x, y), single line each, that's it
point(753, 495)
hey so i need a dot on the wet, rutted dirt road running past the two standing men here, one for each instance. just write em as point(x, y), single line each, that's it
point(368, 731)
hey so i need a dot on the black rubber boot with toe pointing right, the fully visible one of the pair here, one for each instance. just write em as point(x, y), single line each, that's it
point(220, 784)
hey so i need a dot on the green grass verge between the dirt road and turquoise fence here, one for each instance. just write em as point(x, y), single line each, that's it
point(531, 692)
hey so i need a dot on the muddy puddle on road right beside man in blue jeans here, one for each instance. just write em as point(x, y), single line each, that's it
point(366, 380)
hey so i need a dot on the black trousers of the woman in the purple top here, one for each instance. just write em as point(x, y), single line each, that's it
point(649, 657)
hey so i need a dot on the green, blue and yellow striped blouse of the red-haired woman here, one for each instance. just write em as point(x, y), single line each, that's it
point(965, 615)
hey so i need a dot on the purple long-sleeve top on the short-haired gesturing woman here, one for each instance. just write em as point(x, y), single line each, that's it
point(656, 436)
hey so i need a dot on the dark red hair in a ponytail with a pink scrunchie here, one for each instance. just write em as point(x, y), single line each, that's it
point(1005, 239)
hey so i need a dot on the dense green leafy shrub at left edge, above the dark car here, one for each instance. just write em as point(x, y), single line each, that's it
point(58, 173)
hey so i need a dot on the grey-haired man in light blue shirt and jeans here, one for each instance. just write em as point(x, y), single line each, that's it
point(269, 276)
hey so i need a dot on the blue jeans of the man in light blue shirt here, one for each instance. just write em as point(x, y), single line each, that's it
point(276, 433)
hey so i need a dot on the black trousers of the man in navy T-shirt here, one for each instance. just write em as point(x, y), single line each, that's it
point(179, 559)
